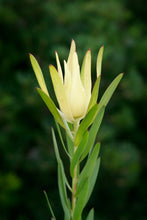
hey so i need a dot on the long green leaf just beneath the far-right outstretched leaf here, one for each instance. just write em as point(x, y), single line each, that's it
point(93, 132)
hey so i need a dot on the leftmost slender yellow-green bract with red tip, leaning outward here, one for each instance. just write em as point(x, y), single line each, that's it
point(38, 73)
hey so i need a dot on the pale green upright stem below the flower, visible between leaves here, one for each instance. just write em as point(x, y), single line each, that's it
point(74, 179)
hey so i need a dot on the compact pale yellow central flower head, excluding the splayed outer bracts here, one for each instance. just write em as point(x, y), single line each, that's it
point(74, 91)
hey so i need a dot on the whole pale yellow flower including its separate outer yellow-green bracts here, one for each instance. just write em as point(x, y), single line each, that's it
point(73, 91)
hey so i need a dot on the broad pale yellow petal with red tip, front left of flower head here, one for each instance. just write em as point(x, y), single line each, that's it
point(60, 93)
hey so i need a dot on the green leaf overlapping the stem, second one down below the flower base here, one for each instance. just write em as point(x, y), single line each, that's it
point(78, 153)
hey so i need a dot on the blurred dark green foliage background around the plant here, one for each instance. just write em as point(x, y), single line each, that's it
point(27, 160)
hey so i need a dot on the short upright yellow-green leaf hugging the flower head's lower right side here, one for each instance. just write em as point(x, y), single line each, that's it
point(94, 95)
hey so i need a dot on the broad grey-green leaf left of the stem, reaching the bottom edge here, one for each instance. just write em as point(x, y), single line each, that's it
point(62, 189)
